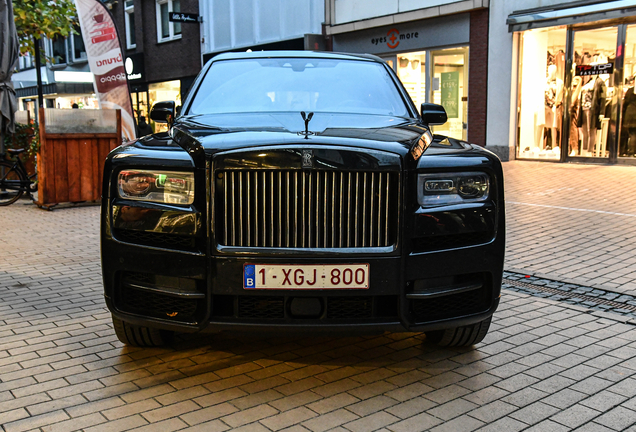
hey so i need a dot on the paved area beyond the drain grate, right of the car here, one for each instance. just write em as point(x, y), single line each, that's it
point(572, 223)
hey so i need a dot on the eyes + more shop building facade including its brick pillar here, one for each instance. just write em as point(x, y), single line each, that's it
point(437, 47)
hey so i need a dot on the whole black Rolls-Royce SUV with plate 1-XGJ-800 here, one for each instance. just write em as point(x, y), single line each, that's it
point(301, 191)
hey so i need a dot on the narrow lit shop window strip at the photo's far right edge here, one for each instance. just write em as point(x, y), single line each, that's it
point(627, 136)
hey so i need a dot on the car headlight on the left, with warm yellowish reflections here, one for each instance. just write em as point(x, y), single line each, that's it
point(170, 187)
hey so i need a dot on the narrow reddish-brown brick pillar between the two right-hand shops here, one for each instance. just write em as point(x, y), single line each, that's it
point(478, 76)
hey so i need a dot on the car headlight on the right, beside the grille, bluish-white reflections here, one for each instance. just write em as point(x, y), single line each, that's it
point(452, 188)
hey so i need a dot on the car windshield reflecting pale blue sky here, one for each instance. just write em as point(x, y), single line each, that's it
point(298, 84)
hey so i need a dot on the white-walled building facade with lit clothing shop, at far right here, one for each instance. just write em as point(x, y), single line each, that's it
point(571, 69)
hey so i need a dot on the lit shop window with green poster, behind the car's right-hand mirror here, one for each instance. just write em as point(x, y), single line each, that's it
point(450, 89)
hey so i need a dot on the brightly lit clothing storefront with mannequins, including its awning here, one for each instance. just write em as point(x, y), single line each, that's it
point(575, 95)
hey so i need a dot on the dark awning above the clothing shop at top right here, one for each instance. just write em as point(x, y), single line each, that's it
point(570, 13)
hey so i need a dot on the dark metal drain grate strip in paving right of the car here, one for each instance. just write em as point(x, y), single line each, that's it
point(592, 298)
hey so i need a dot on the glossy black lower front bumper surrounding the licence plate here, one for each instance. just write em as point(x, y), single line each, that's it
point(189, 292)
